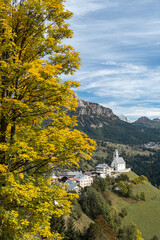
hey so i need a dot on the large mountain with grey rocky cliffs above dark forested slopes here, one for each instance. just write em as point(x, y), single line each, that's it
point(102, 124)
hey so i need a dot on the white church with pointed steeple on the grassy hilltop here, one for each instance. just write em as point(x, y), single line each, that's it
point(118, 164)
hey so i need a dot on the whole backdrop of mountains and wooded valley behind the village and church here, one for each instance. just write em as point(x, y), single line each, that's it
point(139, 144)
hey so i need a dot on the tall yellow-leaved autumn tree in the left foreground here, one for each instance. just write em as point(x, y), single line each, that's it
point(36, 134)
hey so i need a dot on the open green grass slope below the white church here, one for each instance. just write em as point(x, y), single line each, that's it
point(146, 214)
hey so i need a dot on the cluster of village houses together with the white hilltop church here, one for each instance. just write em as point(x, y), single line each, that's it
point(77, 180)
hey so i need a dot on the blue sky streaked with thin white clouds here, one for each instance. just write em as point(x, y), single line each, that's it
point(119, 45)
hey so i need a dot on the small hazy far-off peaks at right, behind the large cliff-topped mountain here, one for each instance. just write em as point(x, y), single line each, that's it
point(144, 121)
